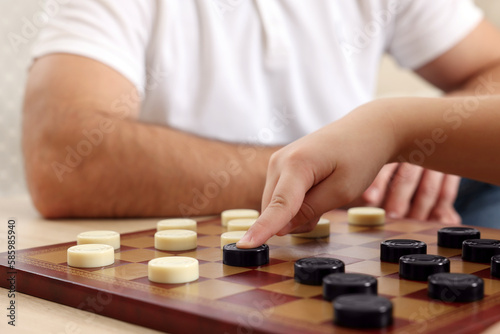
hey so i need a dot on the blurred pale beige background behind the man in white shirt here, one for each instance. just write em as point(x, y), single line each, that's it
point(14, 52)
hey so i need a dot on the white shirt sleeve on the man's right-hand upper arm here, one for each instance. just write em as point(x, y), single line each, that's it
point(424, 30)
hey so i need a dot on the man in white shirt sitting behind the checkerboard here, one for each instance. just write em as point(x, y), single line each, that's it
point(156, 108)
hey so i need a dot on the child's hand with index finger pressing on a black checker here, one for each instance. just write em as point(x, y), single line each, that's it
point(320, 172)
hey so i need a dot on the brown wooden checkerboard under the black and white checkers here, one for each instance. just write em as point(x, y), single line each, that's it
point(255, 299)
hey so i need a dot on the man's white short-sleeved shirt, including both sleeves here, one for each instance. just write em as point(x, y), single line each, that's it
point(255, 71)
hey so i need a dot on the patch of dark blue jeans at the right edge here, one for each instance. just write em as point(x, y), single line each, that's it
point(478, 203)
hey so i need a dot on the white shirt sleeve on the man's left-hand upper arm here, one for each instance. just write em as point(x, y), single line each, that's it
point(115, 33)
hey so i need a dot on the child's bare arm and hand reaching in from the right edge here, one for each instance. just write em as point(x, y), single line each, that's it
point(332, 166)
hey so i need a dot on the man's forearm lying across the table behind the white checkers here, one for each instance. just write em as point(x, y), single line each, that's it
point(101, 165)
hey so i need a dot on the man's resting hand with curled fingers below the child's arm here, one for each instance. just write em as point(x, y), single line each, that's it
point(409, 191)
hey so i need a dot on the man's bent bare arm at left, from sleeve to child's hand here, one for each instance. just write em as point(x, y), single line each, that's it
point(86, 155)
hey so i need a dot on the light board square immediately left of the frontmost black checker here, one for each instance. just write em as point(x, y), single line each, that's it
point(310, 310)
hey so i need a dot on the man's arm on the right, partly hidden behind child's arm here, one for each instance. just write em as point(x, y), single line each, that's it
point(411, 191)
